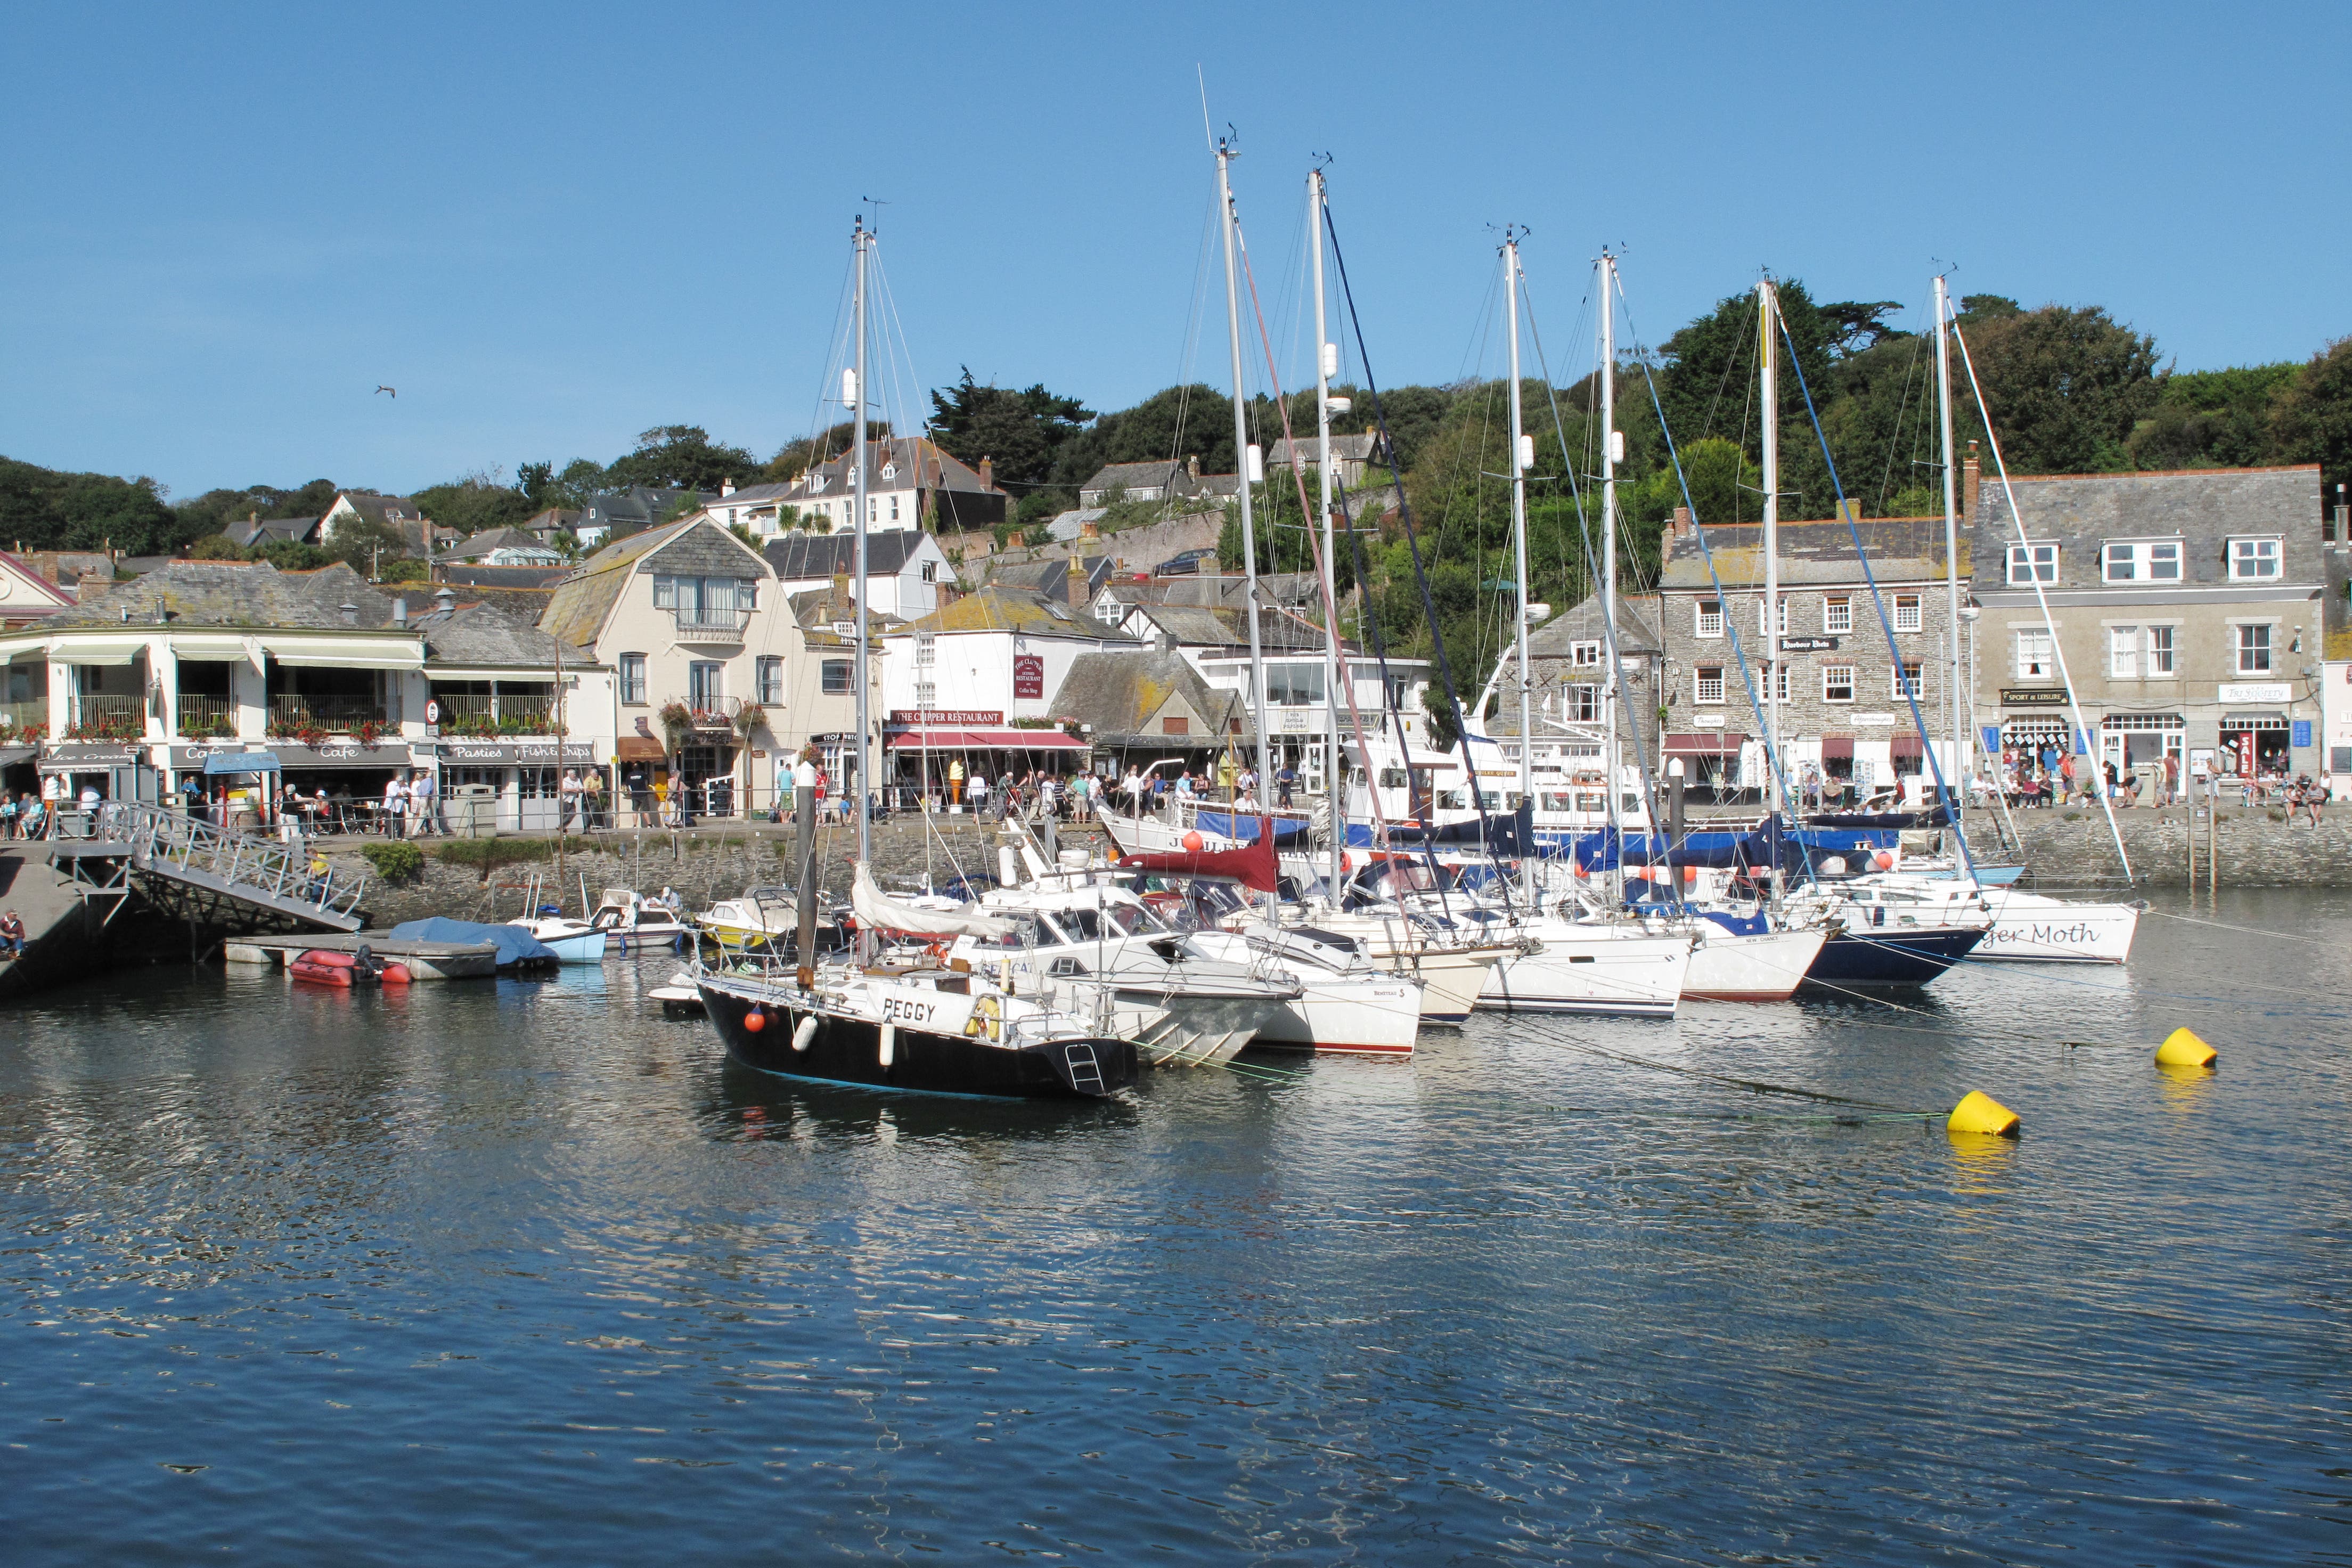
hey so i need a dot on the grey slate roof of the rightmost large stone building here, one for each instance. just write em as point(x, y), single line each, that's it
point(2198, 507)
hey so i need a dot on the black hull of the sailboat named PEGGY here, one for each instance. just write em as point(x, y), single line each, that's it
point(848, 1050)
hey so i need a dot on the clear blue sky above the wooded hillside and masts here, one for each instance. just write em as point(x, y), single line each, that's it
point(556, 227)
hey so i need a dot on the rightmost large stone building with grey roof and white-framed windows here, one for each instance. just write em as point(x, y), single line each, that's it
point(2184, 605)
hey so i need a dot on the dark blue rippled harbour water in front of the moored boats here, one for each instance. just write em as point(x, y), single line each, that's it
point(528, 1273)
